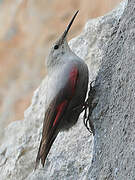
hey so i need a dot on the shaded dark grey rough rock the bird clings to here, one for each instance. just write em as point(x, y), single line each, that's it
point(114, 115)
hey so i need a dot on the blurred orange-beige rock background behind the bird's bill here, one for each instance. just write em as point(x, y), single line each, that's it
point(27, 28)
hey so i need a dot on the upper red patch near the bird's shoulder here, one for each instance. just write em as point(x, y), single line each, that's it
point(73, 78)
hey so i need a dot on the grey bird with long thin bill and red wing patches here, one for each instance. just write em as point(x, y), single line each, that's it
point(67, 92)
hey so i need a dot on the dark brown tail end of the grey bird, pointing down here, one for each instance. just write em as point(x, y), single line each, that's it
point(44, 148)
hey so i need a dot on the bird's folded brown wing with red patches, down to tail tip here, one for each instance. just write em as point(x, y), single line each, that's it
point(55, 113)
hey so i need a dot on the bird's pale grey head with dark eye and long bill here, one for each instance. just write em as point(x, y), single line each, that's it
point(60, 47)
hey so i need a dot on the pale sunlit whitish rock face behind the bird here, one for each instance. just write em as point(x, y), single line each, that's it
point(71, 154)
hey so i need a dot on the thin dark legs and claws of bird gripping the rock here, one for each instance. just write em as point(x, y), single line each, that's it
point(88, 107)
